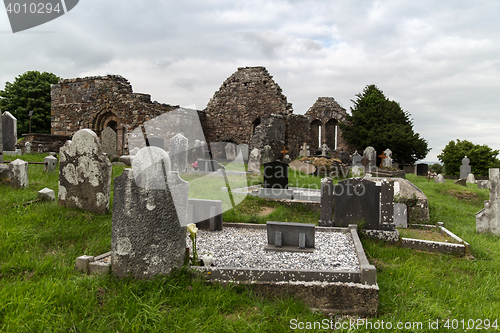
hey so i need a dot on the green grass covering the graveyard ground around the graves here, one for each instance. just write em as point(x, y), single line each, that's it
point(41, 292)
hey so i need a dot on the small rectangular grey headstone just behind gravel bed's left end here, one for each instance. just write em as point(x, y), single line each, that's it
point(206, 214)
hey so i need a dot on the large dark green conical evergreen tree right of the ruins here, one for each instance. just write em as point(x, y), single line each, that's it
point(381, 123)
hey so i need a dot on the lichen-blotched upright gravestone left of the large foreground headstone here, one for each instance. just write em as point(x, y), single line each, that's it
point(84, 173)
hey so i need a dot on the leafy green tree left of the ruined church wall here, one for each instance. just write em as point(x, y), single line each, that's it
point(30, 91)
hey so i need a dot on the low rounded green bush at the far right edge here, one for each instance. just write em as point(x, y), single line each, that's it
point(481, 157)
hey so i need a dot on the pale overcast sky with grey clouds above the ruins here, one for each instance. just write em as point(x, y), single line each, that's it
point(439, 59)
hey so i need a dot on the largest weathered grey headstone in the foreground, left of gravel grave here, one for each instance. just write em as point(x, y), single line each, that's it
point(147, 237)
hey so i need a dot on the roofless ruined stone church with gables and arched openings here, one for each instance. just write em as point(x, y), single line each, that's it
point(249, 108)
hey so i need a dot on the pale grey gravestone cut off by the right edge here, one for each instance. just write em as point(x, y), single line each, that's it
point(488, 219)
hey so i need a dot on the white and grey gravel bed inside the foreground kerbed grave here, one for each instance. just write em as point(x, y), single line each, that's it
point(244, 248)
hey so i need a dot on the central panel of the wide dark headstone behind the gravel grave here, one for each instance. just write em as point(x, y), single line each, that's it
point(356, 201)
